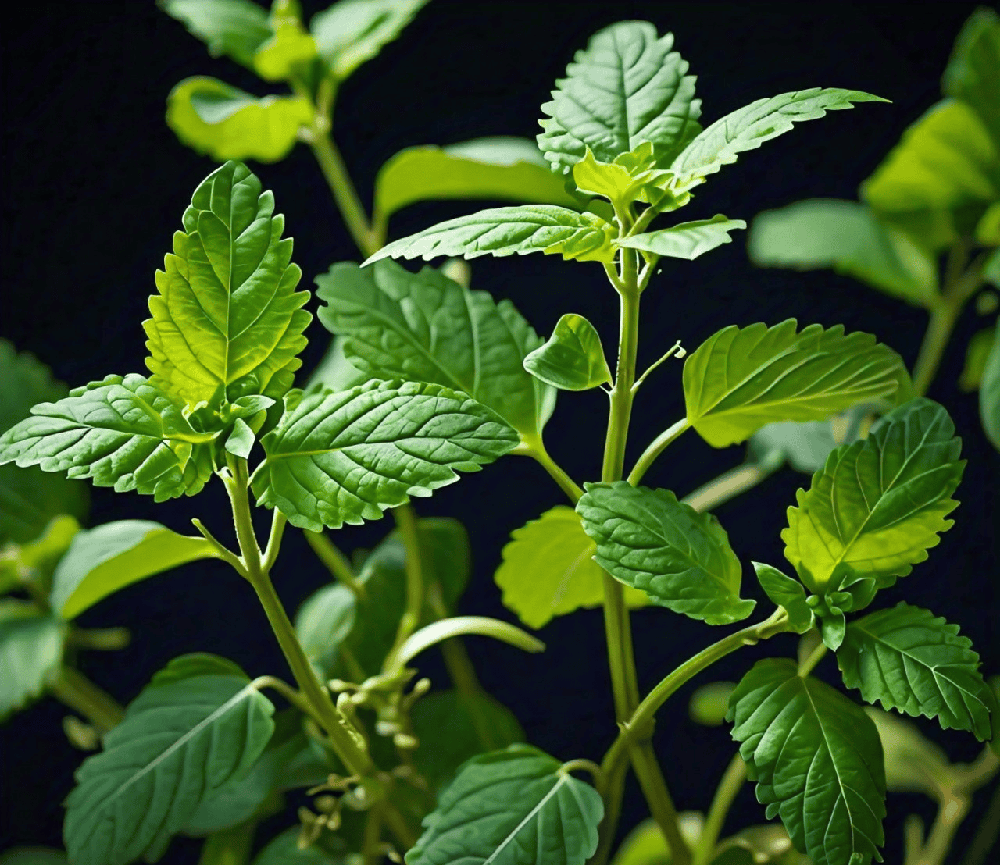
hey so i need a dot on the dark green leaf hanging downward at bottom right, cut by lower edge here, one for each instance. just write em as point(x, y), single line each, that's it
point(817, 761)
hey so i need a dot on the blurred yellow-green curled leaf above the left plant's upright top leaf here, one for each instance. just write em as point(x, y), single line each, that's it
point(224, 122)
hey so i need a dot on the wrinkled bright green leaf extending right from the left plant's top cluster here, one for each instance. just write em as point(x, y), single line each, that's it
point(346, 457)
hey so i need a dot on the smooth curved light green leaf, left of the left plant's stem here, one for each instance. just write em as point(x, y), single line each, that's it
point(106, 559)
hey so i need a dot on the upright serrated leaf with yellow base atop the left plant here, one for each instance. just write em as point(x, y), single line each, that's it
point(227, 315)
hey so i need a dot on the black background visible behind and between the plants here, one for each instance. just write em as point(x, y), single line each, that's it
point(94, 184)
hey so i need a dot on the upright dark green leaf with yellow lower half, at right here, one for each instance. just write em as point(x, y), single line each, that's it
point(879, 504)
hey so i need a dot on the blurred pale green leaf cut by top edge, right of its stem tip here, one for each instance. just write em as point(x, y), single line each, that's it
point(351, 32)
